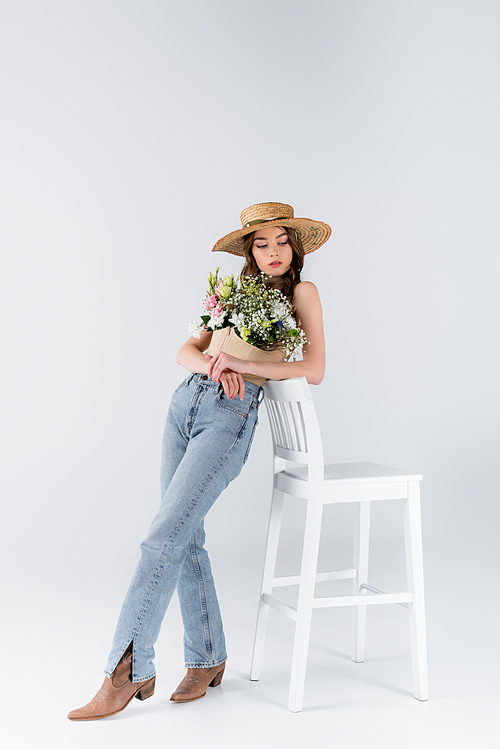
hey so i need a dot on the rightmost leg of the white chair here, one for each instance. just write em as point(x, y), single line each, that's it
point(415, 582)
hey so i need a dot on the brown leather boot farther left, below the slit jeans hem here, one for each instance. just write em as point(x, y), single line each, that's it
point(115, 693)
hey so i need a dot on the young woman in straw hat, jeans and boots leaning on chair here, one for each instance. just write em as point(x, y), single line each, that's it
point(207, 438)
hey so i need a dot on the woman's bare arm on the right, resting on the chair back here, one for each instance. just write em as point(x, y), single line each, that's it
point(308, 310)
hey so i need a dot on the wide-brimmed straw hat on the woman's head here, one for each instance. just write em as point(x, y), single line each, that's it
point(312, 233)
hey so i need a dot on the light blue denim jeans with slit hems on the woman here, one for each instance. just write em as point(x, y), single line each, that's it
point(206, 442)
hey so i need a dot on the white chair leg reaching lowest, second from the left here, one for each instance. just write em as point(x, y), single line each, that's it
point(304, 607)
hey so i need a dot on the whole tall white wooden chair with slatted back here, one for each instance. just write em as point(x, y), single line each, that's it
point(297, 440)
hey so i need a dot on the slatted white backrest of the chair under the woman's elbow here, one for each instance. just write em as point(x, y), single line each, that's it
point(294, 425)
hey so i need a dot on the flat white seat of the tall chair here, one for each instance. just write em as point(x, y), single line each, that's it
point(355, 473)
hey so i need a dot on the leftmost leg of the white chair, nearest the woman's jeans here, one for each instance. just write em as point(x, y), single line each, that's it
point(267, 582)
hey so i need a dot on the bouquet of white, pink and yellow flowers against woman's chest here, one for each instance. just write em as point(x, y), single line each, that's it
point(260, 315)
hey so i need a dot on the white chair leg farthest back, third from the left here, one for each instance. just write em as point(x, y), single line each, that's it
point(361, 554)
